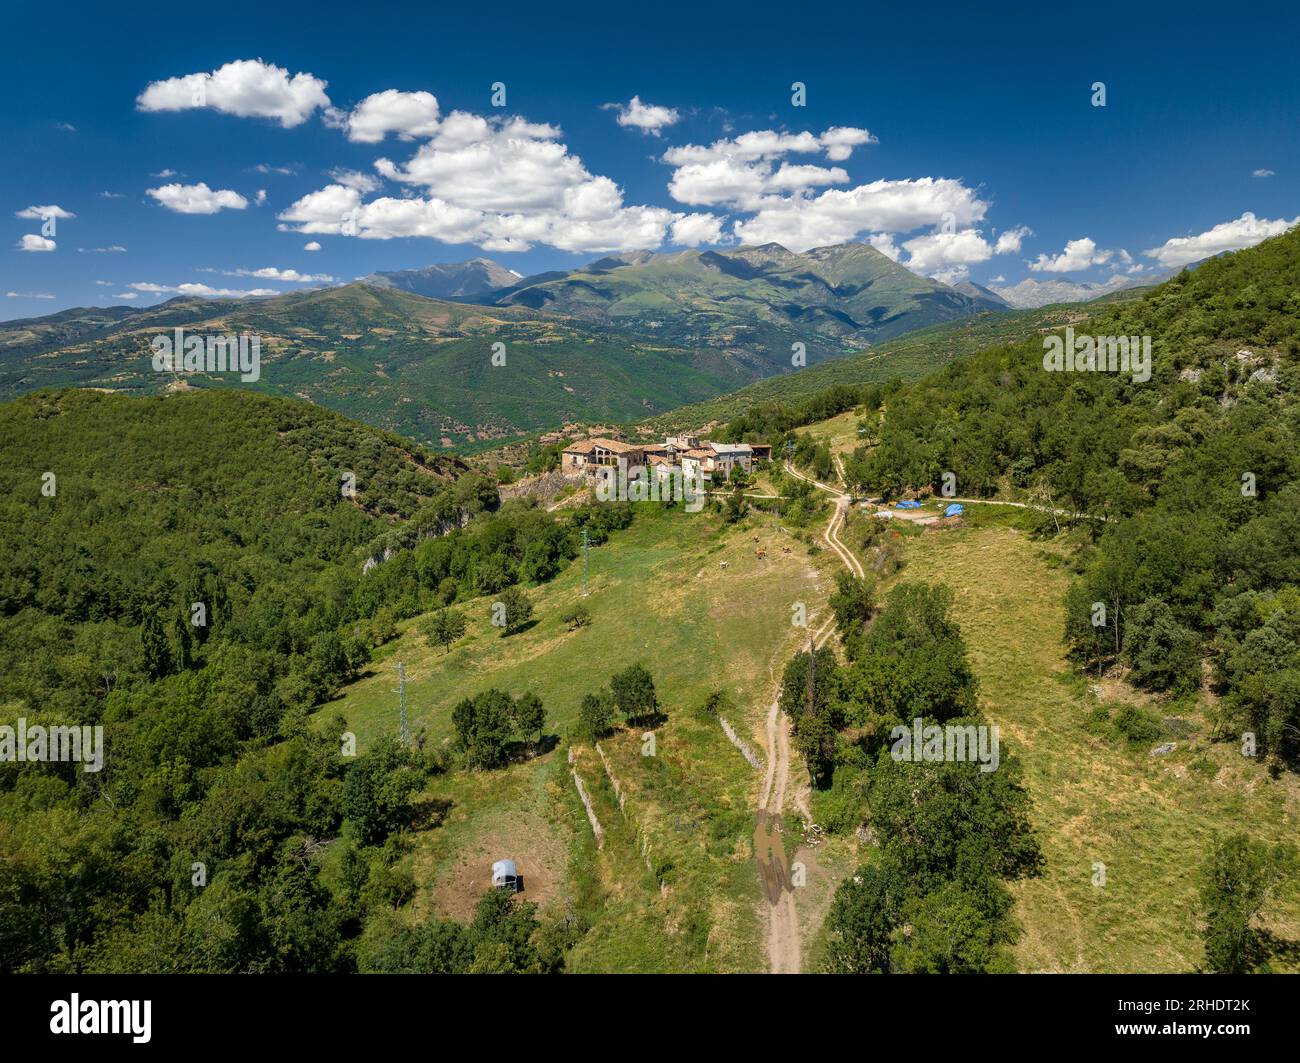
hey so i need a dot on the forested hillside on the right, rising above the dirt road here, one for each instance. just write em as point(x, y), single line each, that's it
point(1195, 472)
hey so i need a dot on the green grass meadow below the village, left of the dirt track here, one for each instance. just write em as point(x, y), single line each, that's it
point(658, 595)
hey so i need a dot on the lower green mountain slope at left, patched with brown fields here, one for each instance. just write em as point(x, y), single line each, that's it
point(392, 359)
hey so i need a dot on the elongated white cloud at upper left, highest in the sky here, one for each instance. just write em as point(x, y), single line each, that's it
point(246, 89)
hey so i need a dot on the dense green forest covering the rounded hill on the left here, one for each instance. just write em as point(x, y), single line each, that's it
point(196, 575)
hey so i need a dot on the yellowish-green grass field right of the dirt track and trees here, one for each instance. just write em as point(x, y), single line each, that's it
point(1150, 821)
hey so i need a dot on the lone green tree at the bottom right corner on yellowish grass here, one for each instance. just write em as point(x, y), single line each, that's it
point(1237, 883)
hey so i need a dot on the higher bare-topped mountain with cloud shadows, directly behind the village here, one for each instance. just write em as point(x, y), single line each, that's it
point(759, 301)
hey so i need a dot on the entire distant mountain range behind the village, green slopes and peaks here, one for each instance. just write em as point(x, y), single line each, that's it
point(623, 339)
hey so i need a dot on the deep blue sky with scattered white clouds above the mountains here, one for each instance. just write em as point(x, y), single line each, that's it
point(216, 145)
